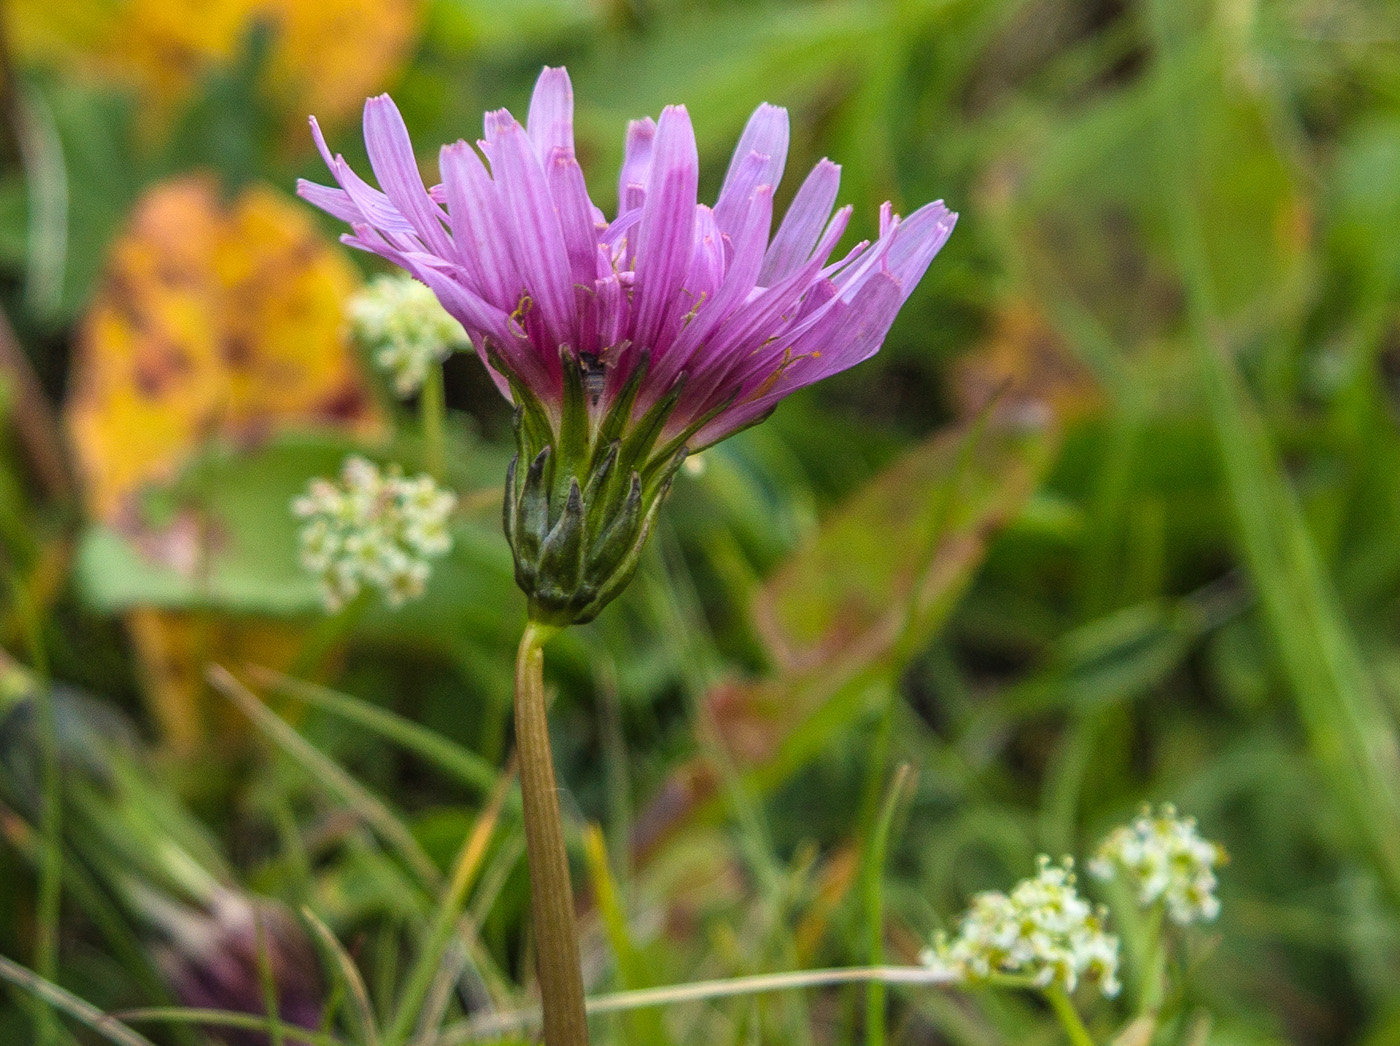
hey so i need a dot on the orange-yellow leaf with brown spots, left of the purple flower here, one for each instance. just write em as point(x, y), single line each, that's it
point(212, 321)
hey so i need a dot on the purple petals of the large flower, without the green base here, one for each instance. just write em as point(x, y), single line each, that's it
point(523, 258)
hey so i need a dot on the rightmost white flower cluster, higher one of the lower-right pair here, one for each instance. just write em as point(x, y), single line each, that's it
point(1167, 860)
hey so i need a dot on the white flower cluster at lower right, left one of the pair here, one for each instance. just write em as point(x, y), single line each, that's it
point(1042, 930)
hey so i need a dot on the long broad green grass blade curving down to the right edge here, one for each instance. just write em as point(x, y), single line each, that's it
point(1349, 729)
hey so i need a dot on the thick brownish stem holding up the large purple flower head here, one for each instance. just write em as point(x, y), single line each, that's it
point(552, 897)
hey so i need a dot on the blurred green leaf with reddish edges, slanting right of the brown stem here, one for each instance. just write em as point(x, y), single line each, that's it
point(856, 603)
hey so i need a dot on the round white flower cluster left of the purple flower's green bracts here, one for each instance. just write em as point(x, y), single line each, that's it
point(373, 530)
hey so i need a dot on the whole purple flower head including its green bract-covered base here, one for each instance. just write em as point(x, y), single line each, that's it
point(625, 344)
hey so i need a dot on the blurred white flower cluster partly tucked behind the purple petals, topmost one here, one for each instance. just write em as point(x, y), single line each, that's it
point(402, 323)
